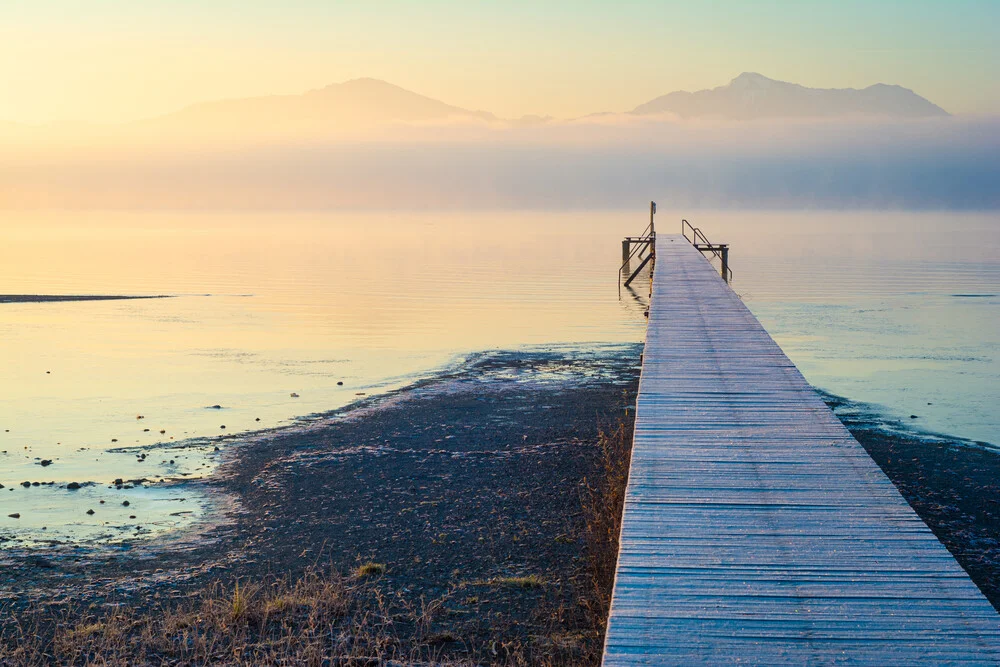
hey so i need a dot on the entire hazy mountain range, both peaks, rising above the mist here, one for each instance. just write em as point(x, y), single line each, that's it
point(362, 104)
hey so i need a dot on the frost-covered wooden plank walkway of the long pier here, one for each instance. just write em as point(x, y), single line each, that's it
point(757, 530)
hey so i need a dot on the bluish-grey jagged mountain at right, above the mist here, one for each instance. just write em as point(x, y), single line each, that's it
point(751, 96)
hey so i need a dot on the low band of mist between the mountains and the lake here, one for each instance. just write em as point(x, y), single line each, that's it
point(604, 161)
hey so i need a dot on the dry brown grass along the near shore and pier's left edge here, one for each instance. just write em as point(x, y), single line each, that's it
point(326, 618)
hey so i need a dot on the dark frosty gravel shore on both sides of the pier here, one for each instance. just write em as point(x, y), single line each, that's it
point(455, 488)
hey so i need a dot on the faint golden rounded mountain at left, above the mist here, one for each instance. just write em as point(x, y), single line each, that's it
point(348, 106)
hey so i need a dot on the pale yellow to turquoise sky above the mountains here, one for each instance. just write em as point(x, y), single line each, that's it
point(115, 60)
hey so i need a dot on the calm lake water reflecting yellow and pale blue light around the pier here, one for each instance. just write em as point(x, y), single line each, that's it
point(269, 312)
